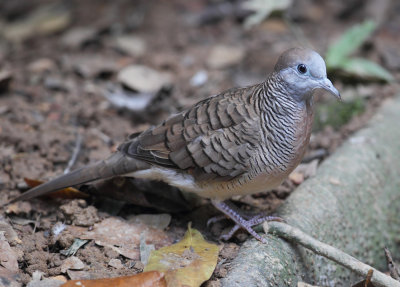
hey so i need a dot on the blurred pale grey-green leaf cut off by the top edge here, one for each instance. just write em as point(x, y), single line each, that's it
point(262, 9)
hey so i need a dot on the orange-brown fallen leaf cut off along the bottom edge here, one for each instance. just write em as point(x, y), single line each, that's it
point(146, 279)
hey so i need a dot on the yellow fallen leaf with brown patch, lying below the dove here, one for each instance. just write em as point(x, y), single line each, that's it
point(187, 263)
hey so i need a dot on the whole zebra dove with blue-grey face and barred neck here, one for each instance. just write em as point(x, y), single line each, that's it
point(241, 141)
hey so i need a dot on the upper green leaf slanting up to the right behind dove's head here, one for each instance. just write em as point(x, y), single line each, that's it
point(349, 42)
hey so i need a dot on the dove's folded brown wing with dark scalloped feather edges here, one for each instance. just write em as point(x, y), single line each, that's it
point(212, 140)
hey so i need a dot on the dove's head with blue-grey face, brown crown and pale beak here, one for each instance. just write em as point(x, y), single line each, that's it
point(303, 71)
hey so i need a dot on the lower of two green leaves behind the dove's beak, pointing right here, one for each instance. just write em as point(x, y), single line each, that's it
point(363, 68)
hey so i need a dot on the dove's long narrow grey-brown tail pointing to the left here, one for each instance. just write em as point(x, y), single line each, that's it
point(117, 164)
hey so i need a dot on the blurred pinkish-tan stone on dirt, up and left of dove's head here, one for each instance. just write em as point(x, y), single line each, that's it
point(222, 56)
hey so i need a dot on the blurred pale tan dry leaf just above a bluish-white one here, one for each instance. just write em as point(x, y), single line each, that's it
point(143, 79)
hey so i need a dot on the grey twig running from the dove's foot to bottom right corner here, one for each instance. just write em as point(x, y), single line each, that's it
point(295, 235)
